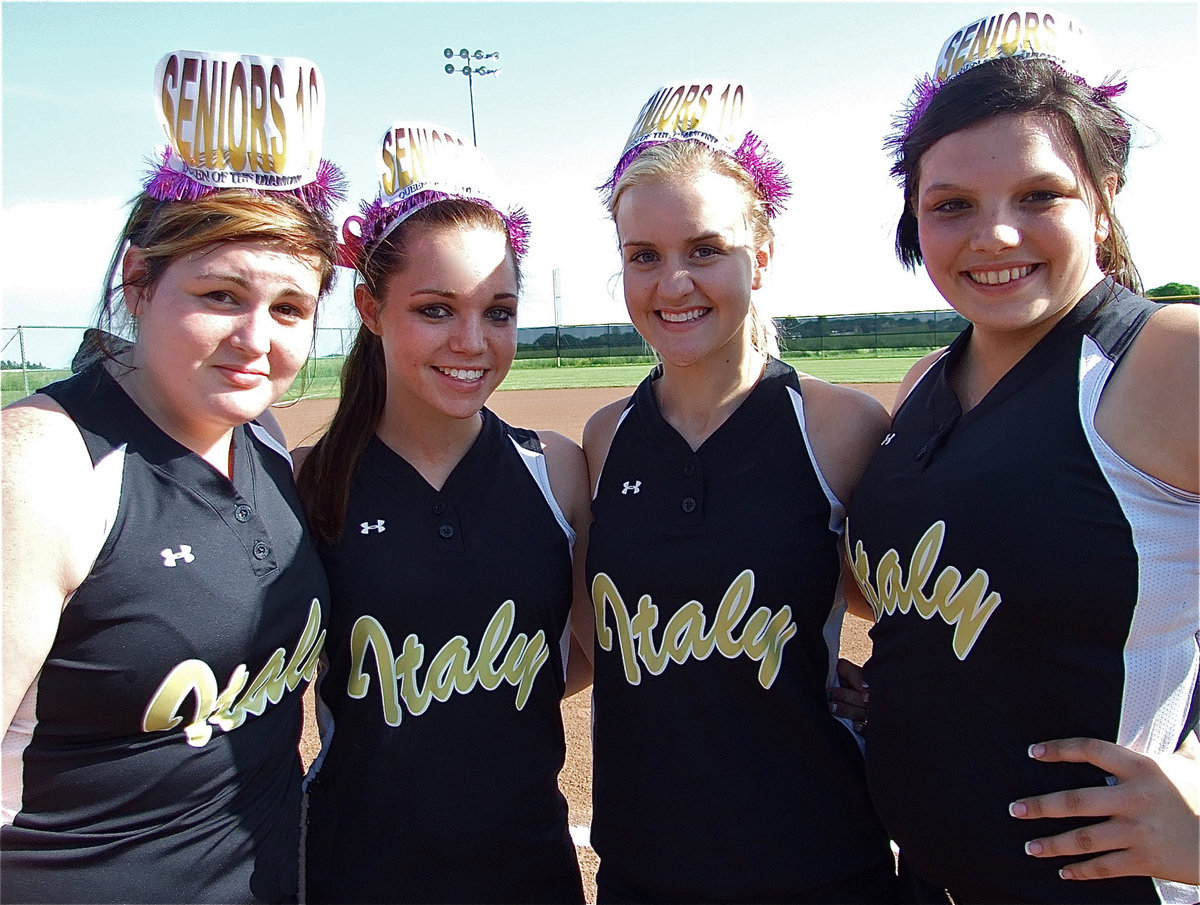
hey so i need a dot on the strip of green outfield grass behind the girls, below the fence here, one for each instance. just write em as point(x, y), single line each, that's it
point(321, 379)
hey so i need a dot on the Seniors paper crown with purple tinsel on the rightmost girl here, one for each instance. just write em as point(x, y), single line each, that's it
point(1023, 34)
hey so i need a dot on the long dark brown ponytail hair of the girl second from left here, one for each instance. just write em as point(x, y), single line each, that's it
point(326, 477)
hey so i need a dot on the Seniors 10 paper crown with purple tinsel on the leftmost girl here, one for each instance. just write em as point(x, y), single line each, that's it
point(242, 122)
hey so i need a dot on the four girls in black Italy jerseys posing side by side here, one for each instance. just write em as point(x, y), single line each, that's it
point(1023, 532)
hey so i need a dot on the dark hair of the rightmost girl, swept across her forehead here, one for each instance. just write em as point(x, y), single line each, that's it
point(1089, 119)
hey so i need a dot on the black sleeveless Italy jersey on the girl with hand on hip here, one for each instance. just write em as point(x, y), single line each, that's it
point(1029, 585)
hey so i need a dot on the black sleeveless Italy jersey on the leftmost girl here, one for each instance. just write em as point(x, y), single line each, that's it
point(155, 758)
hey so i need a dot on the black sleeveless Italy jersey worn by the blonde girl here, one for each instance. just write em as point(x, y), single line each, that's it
point(719, 772)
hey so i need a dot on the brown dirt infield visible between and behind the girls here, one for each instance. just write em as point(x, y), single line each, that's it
point(563, 411)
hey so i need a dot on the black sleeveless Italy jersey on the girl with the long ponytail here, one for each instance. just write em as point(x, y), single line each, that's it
point(442, 732)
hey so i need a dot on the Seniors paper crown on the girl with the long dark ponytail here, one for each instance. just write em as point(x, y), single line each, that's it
point(422, 164)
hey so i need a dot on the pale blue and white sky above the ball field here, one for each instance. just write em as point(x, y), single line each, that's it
point(77, 125)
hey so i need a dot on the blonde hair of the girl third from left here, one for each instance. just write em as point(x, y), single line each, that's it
point(688, 160)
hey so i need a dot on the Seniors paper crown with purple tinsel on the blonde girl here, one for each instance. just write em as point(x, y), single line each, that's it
point(715, 113)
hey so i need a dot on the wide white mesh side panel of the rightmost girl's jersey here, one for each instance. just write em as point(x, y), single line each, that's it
point(1162, 657)
